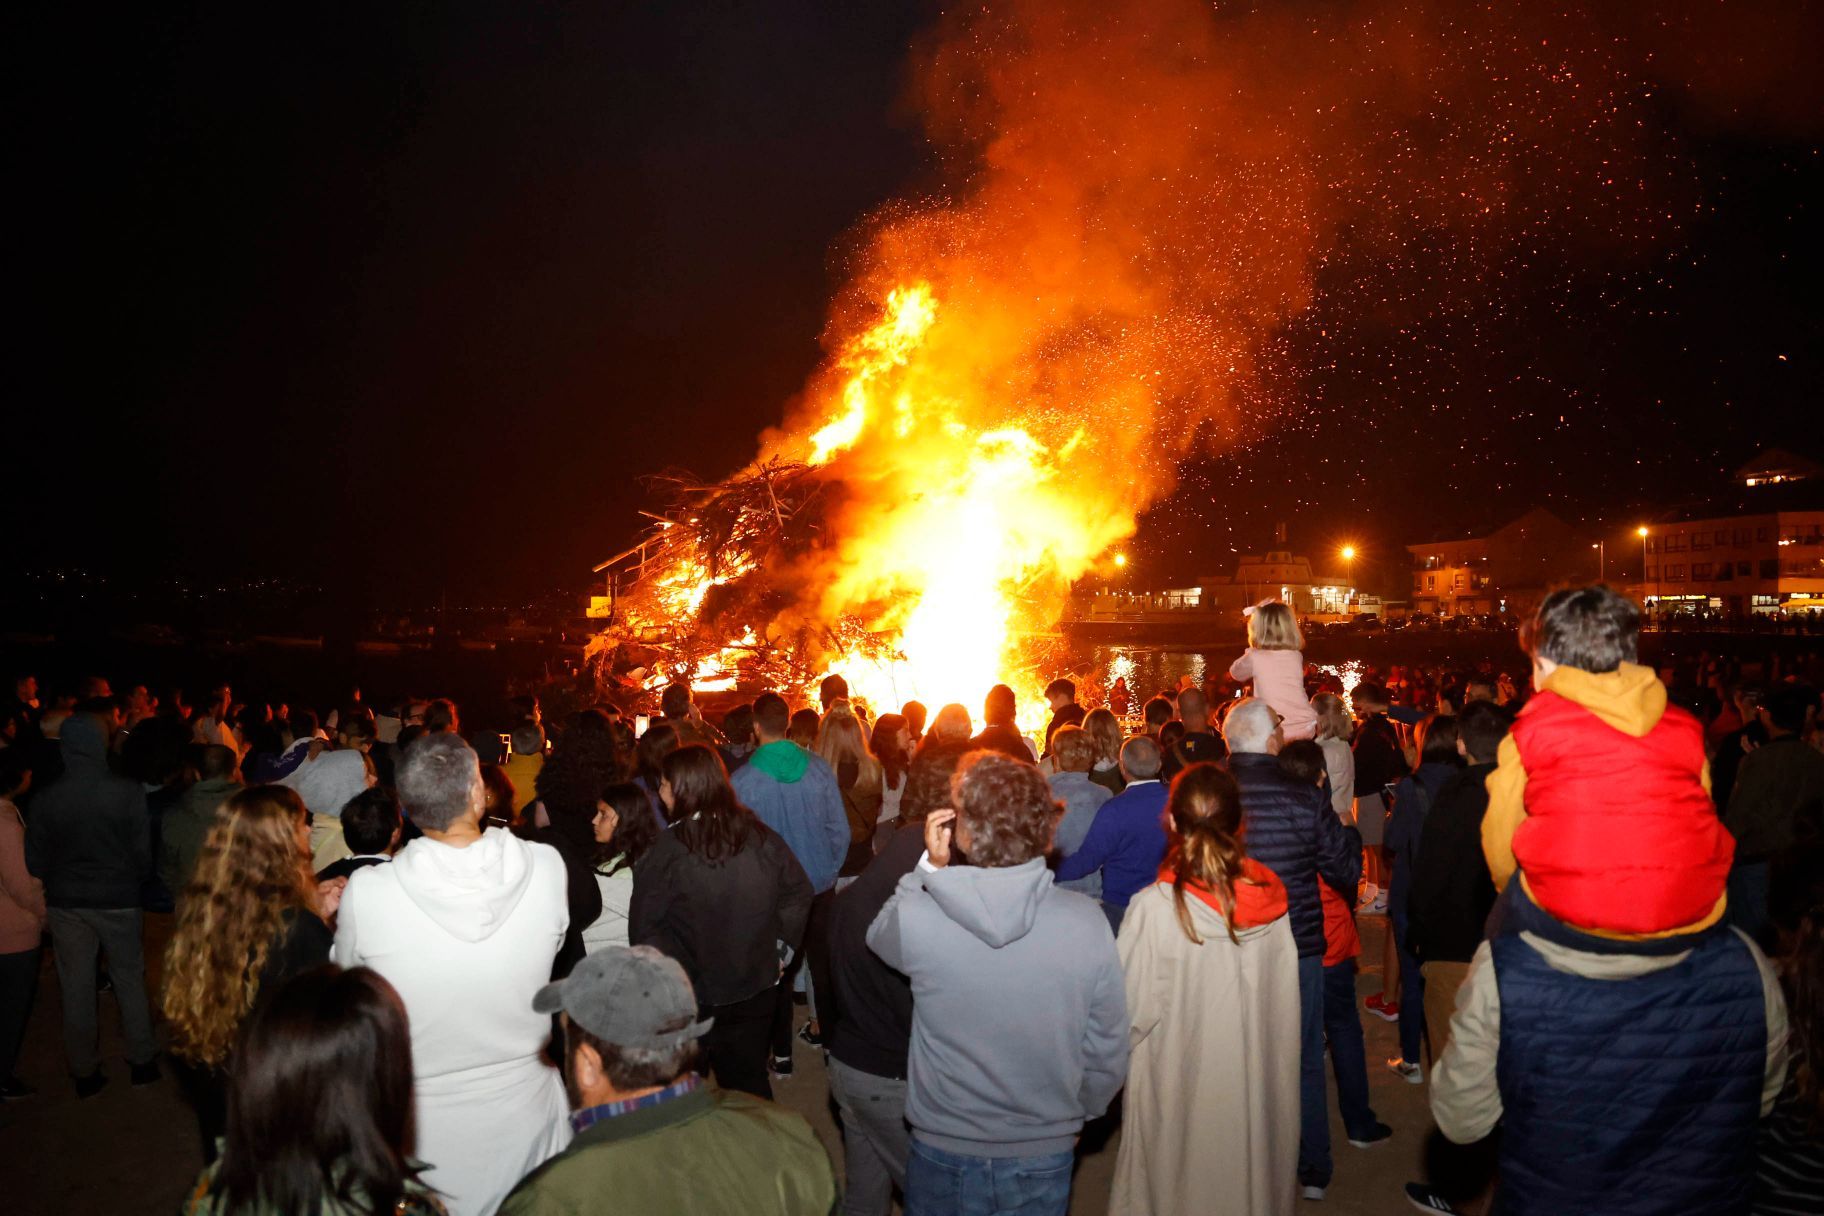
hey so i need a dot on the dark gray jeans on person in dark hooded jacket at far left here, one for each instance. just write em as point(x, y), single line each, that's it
point(78, 936)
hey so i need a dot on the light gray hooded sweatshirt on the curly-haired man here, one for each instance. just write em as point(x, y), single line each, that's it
point(1019, 1007)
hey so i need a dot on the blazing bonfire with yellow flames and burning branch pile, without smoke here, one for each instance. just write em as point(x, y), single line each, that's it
point(902, 542)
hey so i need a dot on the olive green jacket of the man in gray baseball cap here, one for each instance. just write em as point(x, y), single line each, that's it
point(710, 1153)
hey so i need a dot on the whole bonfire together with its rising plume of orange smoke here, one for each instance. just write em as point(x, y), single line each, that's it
point(1141, 200)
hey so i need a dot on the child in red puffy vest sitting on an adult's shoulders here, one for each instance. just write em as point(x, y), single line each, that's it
point(1601, 796)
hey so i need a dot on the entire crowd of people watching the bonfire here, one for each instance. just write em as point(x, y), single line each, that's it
point(561, 971)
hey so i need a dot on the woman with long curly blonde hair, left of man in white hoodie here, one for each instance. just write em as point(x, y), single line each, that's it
point(251, 918)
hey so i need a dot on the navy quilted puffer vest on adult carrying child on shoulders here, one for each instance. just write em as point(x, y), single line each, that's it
point(1628, 1097)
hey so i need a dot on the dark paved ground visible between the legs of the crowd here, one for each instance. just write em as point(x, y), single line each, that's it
point(134, 1151)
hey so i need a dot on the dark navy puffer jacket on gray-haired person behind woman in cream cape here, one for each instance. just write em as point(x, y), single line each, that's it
point(1296, 834)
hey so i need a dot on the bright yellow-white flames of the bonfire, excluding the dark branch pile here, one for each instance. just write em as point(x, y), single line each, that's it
point(973, 533)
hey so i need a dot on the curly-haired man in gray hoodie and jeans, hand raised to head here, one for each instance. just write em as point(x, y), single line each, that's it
point(1019, 1009)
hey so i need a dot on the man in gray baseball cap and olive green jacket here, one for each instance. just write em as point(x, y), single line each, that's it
point(652, 1135)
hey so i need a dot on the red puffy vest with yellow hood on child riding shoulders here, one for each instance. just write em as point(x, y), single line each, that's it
point(1621, 832)
